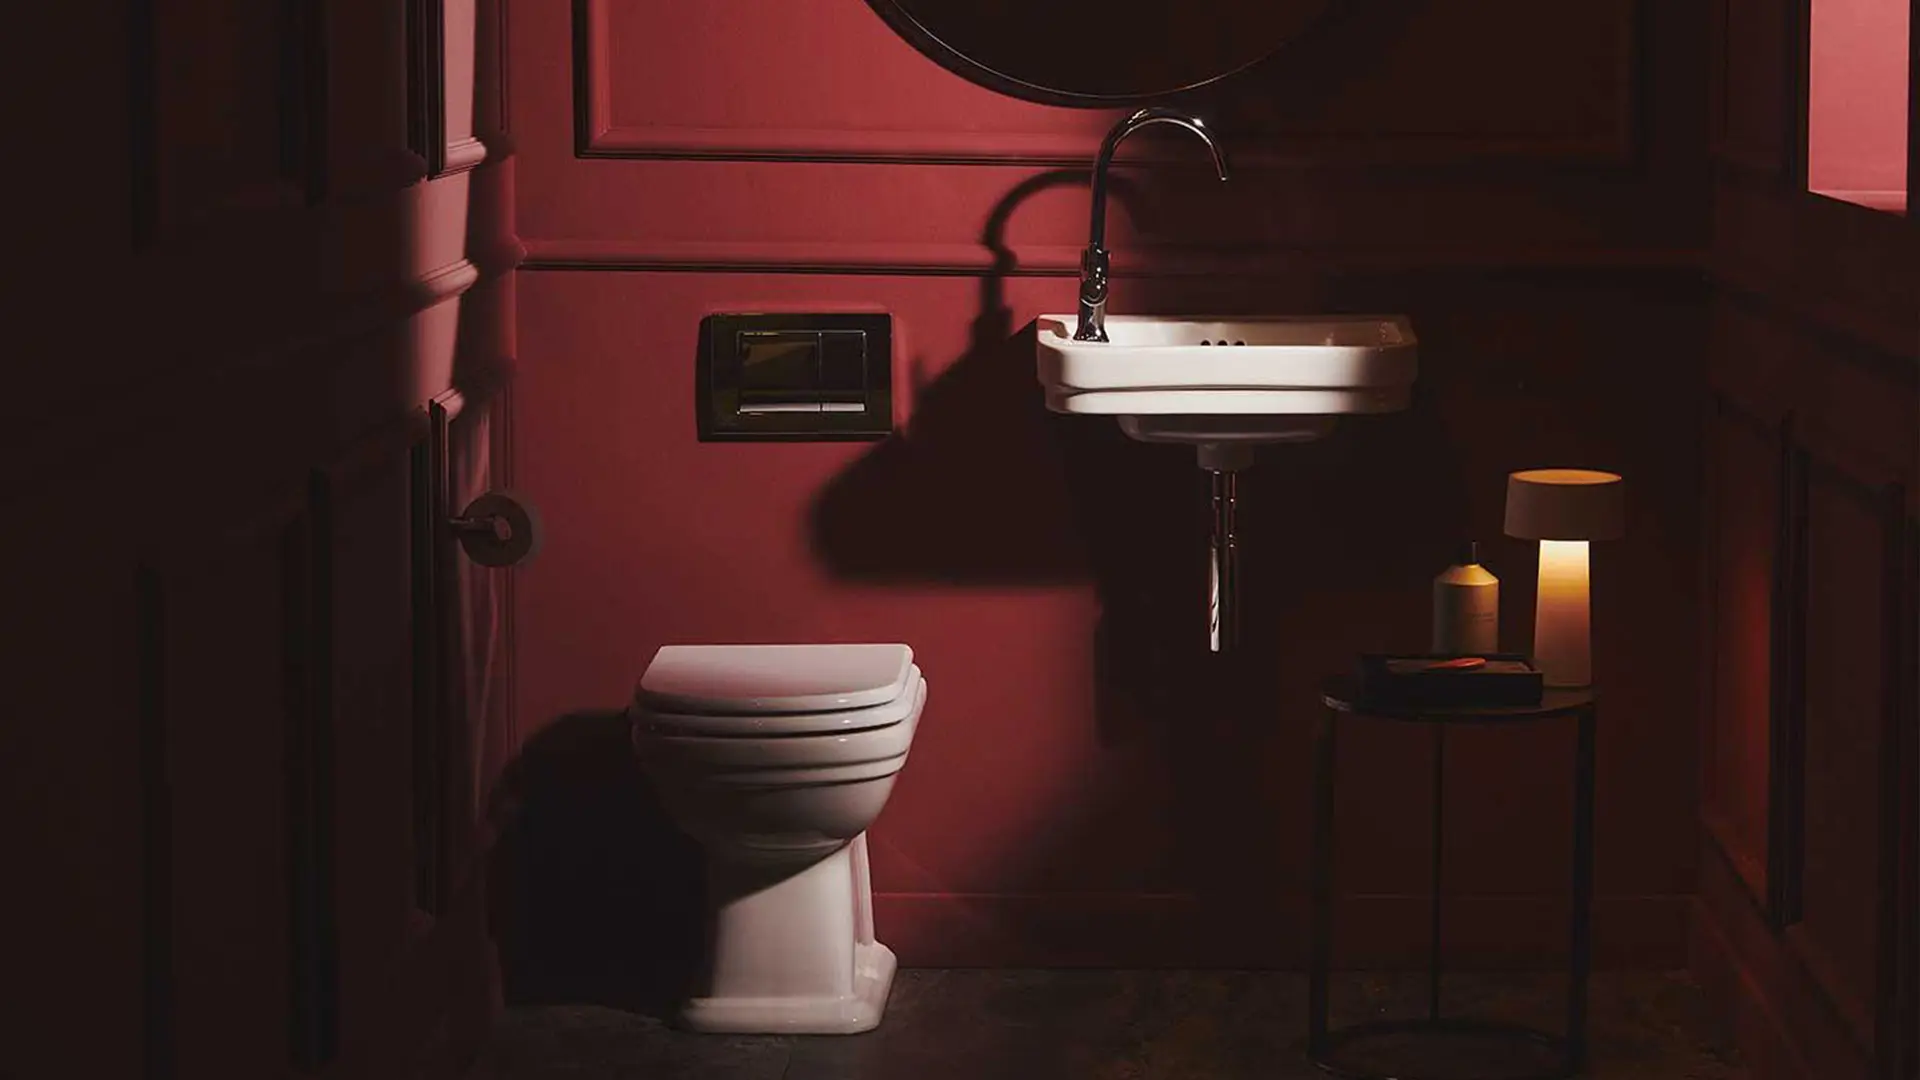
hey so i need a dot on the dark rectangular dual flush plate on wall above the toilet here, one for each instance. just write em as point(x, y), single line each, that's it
point(796, 378)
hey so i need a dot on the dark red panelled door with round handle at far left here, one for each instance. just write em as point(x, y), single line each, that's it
point(254, 689)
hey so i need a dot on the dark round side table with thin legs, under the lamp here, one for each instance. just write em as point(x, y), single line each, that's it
point(1341, 695)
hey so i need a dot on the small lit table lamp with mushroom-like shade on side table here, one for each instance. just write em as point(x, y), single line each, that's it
point(1566, 510)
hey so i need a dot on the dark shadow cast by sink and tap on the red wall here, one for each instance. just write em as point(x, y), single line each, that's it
point(990, 489)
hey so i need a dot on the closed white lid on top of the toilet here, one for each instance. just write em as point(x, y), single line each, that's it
point(773, 679)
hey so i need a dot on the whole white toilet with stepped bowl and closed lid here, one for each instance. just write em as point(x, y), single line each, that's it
point(777, 760)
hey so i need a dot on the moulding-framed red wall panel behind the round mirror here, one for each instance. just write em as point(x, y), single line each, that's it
point(656, 82)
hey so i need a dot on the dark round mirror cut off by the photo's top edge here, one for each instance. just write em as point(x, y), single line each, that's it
point(1099, 53)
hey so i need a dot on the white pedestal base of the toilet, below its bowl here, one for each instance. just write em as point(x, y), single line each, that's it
point(794, 956)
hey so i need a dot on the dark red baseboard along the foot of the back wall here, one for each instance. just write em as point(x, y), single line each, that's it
point(1180, 931)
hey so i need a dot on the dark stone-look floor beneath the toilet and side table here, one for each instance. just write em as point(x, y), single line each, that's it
point(1124, 1025)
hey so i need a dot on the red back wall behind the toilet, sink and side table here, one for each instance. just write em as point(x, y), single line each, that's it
point(1090, 785)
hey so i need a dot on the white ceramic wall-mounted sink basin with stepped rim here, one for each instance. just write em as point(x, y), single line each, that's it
point(1230, 381)
